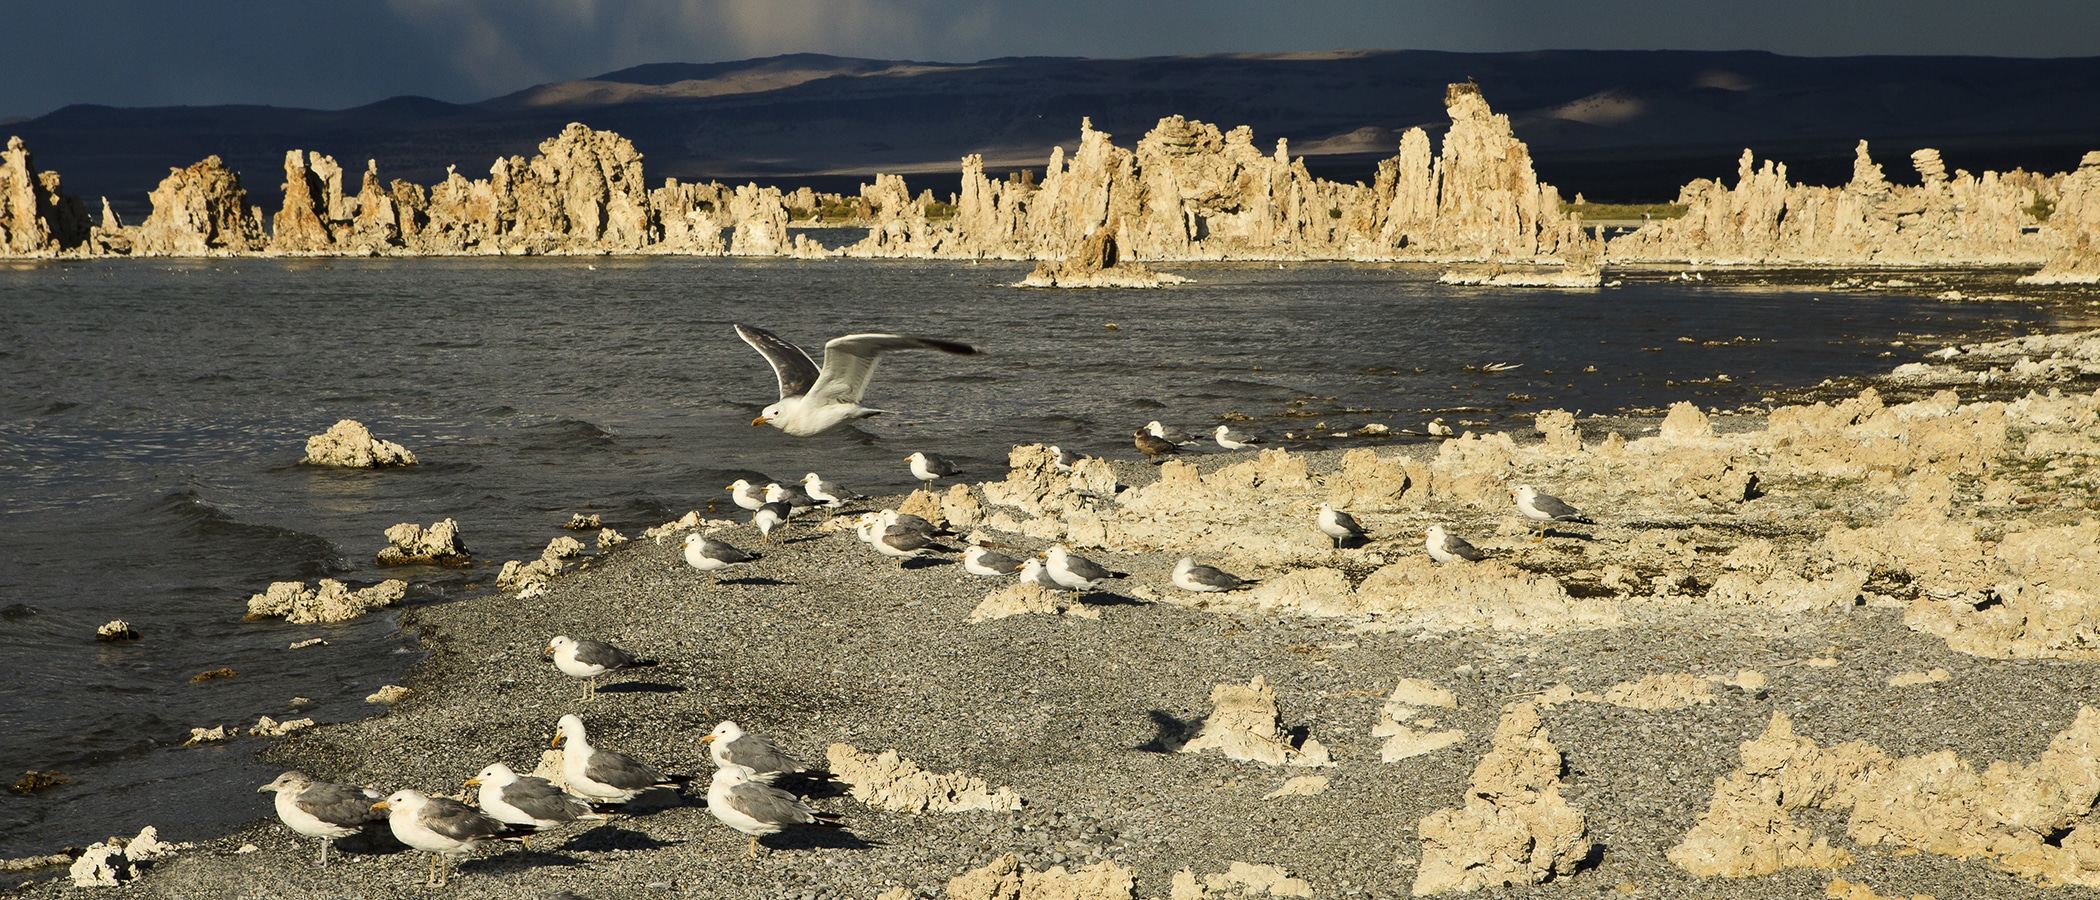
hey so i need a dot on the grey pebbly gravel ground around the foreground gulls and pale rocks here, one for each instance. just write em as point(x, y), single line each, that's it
point(828, 643)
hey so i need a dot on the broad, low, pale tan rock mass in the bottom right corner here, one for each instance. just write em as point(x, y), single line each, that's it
point(2034, 821)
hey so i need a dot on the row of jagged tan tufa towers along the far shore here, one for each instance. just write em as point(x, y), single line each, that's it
point(1188, 192)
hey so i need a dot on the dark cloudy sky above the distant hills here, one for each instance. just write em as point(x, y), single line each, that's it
point(348, 53)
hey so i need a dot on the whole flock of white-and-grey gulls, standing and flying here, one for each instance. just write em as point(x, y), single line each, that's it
point(749, 790)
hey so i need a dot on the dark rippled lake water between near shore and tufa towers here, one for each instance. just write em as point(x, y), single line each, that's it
point(152, 419)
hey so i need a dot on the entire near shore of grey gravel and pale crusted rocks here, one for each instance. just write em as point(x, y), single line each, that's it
point(1836, 649)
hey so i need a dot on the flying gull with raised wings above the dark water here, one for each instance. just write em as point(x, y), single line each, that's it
point(816, 400)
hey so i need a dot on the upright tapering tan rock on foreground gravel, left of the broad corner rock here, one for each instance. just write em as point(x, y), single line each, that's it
point(1515, 828)
